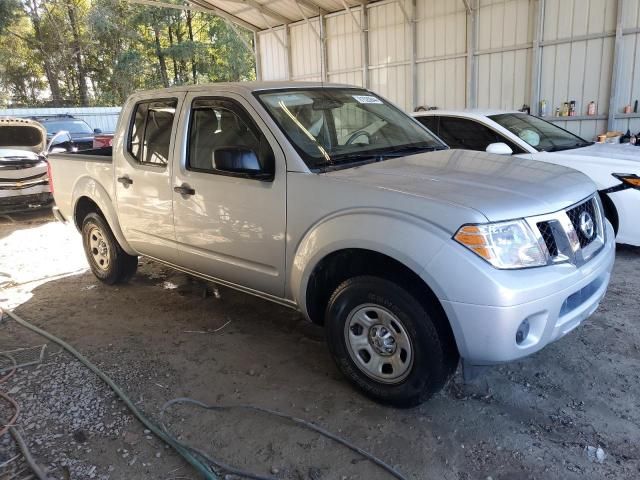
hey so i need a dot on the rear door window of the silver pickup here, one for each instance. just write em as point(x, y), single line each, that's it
point(150, 135)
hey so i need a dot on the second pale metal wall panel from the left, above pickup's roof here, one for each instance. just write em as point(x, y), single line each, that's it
point(306, 52)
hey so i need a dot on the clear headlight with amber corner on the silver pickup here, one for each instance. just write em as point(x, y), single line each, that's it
point(505, 245)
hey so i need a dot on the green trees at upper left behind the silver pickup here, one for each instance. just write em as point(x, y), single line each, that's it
point(49, 49)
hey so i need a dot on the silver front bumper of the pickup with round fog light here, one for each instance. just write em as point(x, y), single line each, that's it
point(557, 302)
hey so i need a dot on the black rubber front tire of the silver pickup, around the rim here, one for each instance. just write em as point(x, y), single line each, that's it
point(434, 358)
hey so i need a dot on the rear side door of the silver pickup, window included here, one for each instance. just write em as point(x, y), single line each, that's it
point(143, 177)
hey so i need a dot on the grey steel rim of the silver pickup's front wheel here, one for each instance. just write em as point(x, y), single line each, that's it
point(378, 343)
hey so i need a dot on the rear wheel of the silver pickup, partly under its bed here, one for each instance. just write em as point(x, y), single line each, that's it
point(114, 265)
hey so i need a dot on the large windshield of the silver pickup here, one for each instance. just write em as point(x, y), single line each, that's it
point(337, 127)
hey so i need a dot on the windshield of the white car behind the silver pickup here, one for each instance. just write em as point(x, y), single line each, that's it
point(541, 135)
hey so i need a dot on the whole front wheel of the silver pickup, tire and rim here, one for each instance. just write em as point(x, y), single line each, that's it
point(386, 342)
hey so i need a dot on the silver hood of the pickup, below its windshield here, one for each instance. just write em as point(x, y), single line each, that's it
point(498, 187)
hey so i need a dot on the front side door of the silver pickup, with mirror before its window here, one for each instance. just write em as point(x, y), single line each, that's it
point(230, 225)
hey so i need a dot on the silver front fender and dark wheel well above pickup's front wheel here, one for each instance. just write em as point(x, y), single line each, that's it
point(386, 244)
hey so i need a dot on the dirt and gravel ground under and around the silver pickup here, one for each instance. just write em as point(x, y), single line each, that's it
point(160, 338)
